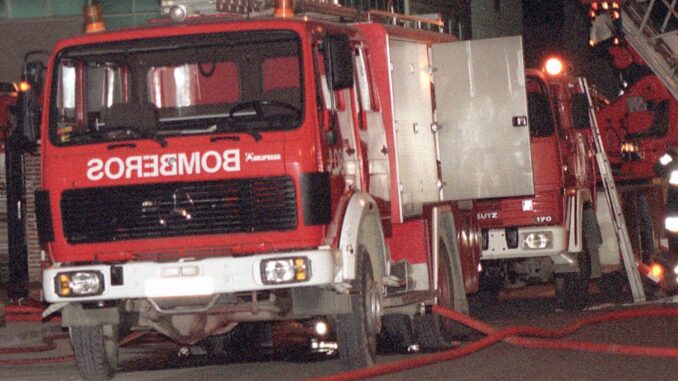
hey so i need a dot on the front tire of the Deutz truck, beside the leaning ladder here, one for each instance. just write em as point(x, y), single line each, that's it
point(572, 289)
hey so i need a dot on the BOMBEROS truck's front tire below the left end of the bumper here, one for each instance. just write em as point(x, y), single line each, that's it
point(96, 350)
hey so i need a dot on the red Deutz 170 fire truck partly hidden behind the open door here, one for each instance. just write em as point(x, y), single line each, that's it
point(554, 231)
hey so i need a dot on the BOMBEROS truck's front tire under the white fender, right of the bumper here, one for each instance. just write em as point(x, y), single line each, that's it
point(357, 332)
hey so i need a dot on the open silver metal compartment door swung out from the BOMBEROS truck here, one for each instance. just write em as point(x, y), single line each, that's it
point(481, 109)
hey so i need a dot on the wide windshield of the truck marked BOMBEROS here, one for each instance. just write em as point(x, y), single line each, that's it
point(199, 84)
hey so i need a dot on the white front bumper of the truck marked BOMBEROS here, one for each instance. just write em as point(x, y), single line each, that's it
point(192, 277)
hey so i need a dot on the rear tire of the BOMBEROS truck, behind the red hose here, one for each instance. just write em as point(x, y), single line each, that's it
point(433, 331)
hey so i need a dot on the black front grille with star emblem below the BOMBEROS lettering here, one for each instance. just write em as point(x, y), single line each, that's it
point(178, 209)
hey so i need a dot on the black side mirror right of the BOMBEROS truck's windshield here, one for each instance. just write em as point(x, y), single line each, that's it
point(338, 61)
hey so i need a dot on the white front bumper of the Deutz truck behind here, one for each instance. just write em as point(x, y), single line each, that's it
point(498, 248)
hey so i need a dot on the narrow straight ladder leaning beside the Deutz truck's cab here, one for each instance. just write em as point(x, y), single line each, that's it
point(614, 204)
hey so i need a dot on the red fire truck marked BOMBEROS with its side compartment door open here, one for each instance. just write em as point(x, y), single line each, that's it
point(205, 175)
